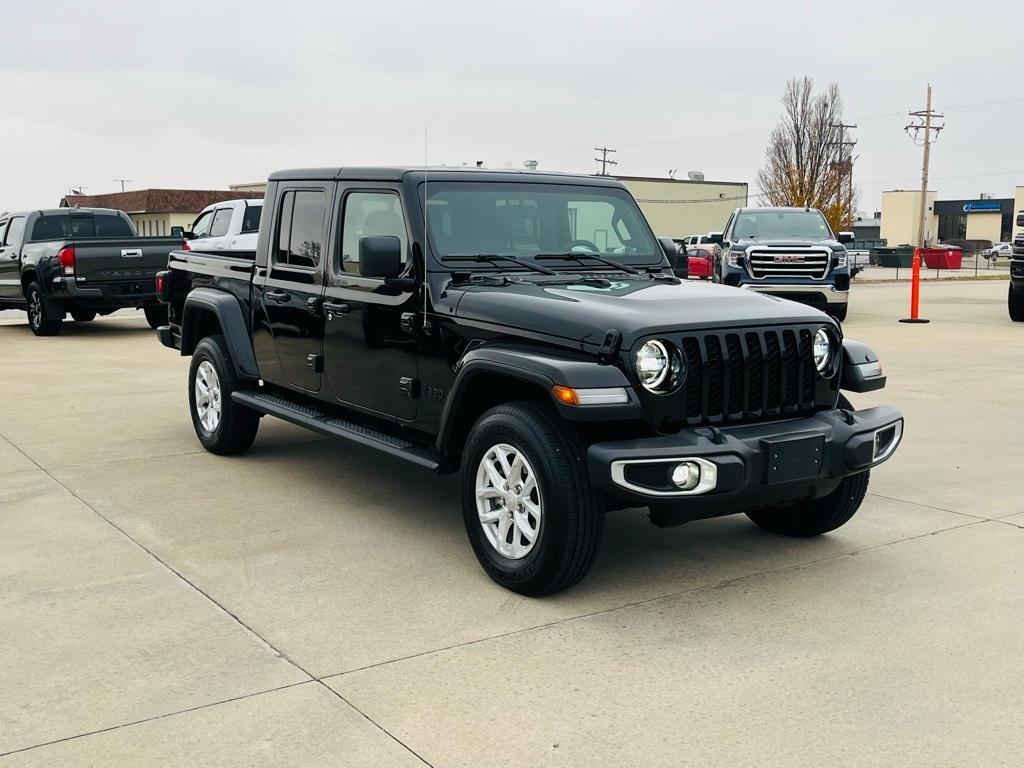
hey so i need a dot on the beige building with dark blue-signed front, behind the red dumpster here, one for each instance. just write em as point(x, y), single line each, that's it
point(982, 220)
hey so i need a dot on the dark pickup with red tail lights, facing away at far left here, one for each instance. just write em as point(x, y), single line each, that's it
point(78, 262)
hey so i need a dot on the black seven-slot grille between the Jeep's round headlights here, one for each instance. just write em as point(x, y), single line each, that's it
point(739, 376)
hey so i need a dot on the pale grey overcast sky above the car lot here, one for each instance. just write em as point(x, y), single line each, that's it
point(204, 95)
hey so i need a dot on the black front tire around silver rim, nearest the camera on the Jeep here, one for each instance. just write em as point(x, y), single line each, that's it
point(572, 520)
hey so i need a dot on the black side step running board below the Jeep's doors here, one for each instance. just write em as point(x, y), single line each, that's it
point(311, 418)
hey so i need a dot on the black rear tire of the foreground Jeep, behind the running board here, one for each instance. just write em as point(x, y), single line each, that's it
point(236, 429)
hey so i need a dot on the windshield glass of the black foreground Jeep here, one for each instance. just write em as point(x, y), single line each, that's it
point(524, 221)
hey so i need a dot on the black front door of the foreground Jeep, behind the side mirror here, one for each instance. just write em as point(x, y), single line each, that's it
point(370, 347)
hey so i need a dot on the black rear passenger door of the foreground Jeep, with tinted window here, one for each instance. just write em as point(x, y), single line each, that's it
point(290, 296)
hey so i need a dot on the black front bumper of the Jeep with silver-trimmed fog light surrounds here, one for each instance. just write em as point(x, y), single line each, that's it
point(751, 467)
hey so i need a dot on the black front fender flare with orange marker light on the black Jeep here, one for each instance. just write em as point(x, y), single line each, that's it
point(543, 369)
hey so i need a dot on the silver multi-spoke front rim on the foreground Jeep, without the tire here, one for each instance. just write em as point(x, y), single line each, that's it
point(508, 501)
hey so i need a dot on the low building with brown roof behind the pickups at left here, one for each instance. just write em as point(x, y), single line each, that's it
point(155, 211)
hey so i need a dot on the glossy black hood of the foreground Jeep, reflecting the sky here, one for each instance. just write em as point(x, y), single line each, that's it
point(634, 306)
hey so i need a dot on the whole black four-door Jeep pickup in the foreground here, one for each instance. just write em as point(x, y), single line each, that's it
point(527, 330)
